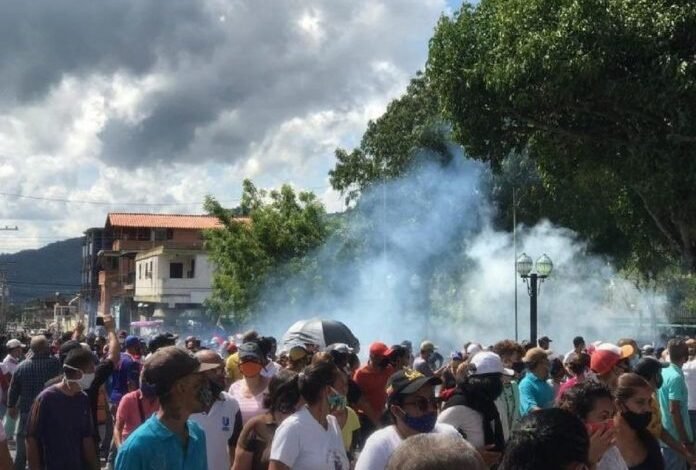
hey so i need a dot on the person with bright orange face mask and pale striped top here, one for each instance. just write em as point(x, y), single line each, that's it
point(249, 392)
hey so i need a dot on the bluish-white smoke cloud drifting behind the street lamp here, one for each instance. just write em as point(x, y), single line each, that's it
point(419, 258)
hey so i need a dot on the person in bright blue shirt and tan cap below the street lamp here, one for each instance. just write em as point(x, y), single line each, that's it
point(535, 393)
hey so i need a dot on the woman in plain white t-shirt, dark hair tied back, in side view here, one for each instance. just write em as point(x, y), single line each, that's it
point(310, 439)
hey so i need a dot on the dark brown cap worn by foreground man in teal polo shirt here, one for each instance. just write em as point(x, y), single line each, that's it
point(169, 364)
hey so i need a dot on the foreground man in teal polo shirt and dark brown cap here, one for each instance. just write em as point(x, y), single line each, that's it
point(168, 440)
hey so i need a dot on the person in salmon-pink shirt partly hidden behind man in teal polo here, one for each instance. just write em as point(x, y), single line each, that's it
point(133, 410)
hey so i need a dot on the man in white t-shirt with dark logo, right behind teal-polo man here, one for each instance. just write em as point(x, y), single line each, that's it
point(222, 424)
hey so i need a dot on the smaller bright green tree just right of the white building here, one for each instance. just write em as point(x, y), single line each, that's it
point(271, 242)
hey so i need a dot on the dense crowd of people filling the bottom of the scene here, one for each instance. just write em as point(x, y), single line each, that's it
point(85, 401)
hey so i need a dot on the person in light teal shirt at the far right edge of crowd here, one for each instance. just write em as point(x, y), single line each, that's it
point(673, 396)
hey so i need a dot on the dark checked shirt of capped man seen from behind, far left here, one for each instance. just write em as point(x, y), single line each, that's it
point(29, 380)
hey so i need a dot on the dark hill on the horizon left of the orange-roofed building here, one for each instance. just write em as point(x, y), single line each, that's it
point(45, 271)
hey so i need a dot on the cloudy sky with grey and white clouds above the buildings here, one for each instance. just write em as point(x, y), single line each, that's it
point(145, 105)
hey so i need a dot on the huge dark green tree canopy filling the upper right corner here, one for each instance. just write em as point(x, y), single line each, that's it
point(599, 93)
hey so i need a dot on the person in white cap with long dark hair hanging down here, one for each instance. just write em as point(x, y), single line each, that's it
point(472, 411)
